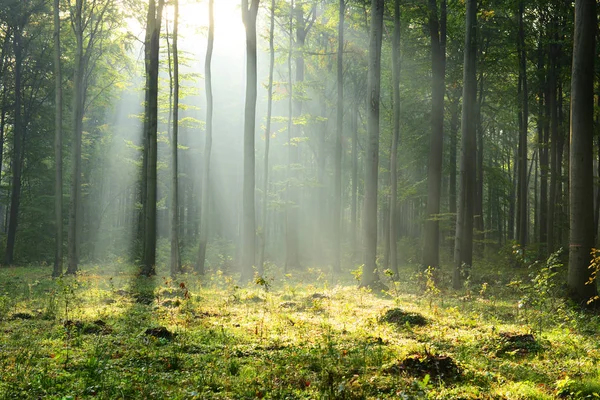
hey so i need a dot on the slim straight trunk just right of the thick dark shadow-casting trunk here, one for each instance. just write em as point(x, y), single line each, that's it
point(175, 252)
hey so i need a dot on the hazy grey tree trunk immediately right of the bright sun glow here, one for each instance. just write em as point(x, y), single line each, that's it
point(249, 217)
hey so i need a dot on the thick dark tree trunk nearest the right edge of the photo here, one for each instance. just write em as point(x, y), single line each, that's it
point(580, 283)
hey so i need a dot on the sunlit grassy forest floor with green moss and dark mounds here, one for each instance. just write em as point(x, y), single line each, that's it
point(108, 334)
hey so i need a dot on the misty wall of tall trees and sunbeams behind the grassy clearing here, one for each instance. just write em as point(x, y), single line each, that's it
point(331, 167)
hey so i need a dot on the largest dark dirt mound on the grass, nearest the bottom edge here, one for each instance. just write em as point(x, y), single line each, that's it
point(435, 365)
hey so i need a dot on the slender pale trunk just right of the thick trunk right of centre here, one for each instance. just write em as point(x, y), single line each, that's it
point(395, 140)
